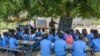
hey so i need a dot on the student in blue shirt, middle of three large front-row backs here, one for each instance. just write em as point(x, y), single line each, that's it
point(60, 46)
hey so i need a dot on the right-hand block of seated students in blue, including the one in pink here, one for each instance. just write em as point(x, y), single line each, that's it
point(79, 43)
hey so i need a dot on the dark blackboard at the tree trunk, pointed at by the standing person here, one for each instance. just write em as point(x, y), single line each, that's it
point(65, 23)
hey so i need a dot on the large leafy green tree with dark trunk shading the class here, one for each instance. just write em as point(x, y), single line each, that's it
point(66, 9)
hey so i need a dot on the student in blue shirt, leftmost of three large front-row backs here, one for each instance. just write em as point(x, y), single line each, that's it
point(45, 46)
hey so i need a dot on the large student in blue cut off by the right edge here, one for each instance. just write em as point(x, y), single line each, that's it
point(96, 43)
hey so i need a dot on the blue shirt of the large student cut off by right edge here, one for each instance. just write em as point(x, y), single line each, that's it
point(96, 44)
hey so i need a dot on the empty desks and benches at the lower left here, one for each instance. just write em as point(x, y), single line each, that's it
point(23, 42)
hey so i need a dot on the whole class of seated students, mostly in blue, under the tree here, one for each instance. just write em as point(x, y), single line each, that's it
point(57, 43)
